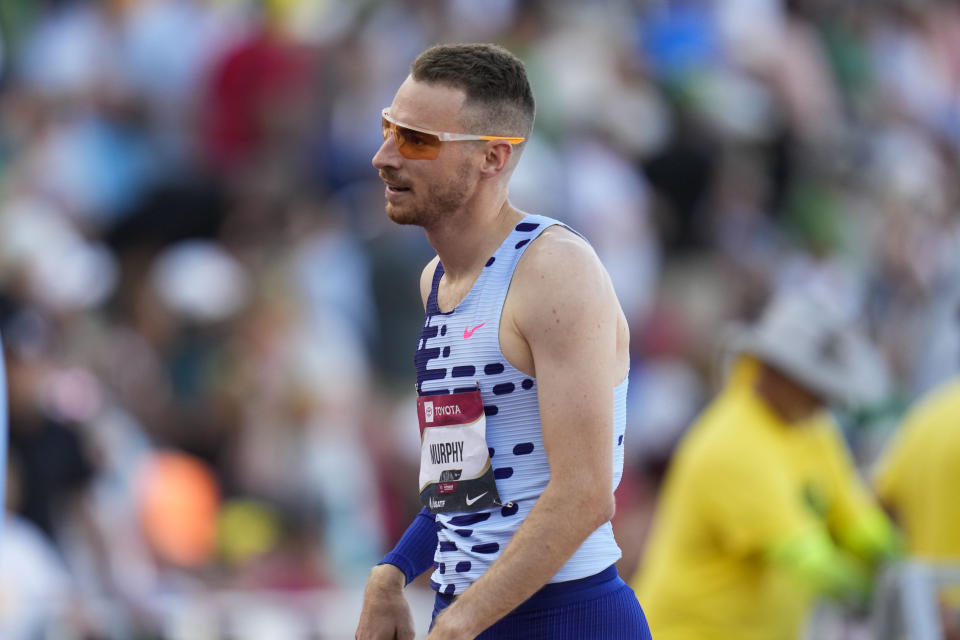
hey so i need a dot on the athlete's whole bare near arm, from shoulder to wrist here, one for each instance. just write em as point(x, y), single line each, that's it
point(568, 315)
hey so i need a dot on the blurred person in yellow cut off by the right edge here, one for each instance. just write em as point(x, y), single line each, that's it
point(916, 480)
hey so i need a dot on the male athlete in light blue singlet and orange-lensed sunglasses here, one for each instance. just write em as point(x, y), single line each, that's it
point(521, 374)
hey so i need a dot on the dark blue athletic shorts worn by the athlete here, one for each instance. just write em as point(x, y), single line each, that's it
point(599, 607)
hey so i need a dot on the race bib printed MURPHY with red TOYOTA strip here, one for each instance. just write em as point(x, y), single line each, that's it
point(455, 470)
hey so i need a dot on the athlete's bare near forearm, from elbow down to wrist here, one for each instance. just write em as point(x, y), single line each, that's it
point(555, 528)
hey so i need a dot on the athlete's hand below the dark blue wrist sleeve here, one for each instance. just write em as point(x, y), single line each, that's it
point(386, 614)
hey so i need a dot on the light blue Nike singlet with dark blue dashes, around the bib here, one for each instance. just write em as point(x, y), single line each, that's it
point(456, 352)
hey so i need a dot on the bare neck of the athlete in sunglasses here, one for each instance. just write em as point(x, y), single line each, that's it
point(466, 241)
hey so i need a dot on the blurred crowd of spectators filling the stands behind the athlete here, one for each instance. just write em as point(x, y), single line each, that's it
point(208, 321)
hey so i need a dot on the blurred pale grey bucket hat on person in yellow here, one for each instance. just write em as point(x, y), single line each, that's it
point(812, 343)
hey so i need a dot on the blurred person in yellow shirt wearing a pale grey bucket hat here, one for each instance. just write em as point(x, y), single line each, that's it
point(762, 509)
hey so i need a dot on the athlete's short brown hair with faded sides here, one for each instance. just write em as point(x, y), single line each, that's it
point(494, 80)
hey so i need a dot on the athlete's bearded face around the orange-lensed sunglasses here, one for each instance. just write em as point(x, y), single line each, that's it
point(420, 191)
